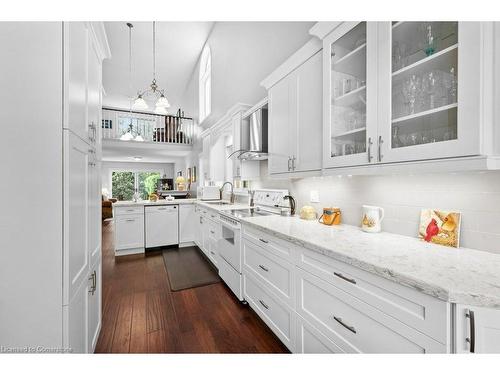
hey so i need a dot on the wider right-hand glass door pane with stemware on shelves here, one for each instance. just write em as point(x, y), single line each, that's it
point(424, 83)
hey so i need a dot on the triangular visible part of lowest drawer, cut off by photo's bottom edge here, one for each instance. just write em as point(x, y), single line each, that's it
point(311, 341)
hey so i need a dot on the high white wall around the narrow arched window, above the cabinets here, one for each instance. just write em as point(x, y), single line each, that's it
point(243, 54)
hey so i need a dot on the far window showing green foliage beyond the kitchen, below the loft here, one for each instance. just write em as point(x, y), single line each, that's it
point(124, 184)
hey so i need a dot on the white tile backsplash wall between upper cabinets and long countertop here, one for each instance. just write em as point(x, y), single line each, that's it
point(475, 194)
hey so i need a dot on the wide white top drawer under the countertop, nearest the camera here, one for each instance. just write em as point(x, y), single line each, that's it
point(420, 311)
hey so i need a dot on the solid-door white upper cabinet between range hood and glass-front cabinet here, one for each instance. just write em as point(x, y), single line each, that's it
point(295, 108)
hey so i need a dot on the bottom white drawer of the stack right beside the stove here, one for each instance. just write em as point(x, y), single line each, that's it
point(278, 316)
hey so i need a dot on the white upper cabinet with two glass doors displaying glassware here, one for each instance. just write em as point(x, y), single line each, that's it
point(407, 91)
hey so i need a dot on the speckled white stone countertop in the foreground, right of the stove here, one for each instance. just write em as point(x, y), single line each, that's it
point(461, 275)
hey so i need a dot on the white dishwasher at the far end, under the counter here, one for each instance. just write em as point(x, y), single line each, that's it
point(162, 225)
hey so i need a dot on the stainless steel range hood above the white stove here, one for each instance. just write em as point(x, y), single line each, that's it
point(256, 128)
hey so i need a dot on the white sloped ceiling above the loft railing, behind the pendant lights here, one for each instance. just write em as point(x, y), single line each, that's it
point(176, 58)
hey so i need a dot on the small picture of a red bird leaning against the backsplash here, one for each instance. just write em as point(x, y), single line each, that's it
point(440, 227)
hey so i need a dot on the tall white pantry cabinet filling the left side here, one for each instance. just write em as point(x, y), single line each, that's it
point(51, 276)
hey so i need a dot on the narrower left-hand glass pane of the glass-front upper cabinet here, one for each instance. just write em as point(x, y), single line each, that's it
point(348, 93)
